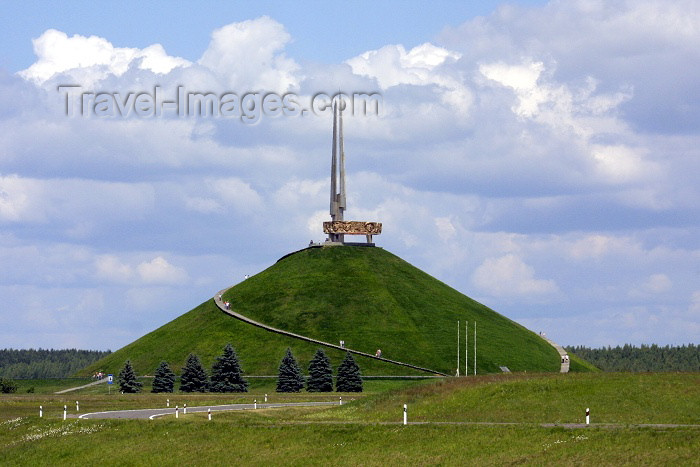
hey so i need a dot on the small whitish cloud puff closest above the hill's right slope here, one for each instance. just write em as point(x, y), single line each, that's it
point(508, 275)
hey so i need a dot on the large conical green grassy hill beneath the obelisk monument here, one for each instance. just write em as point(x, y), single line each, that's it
point(367, 297)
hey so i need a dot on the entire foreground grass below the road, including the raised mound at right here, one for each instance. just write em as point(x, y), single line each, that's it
point(368, 431)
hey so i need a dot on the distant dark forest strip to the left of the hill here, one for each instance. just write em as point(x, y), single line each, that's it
point(45, 363)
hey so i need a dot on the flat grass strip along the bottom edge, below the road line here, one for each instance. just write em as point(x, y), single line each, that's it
point(195, 441)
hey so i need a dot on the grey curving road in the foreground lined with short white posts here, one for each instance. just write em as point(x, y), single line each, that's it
point(154, 413)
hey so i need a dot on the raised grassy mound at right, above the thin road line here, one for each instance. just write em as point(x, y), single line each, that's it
point(530, 398)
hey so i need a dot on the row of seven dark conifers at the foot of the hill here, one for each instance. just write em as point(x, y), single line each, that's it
point(227, 375)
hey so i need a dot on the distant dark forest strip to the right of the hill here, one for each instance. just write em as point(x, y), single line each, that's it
point(644, 358)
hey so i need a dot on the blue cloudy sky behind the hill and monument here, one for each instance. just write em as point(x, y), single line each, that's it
point(540, 157)
